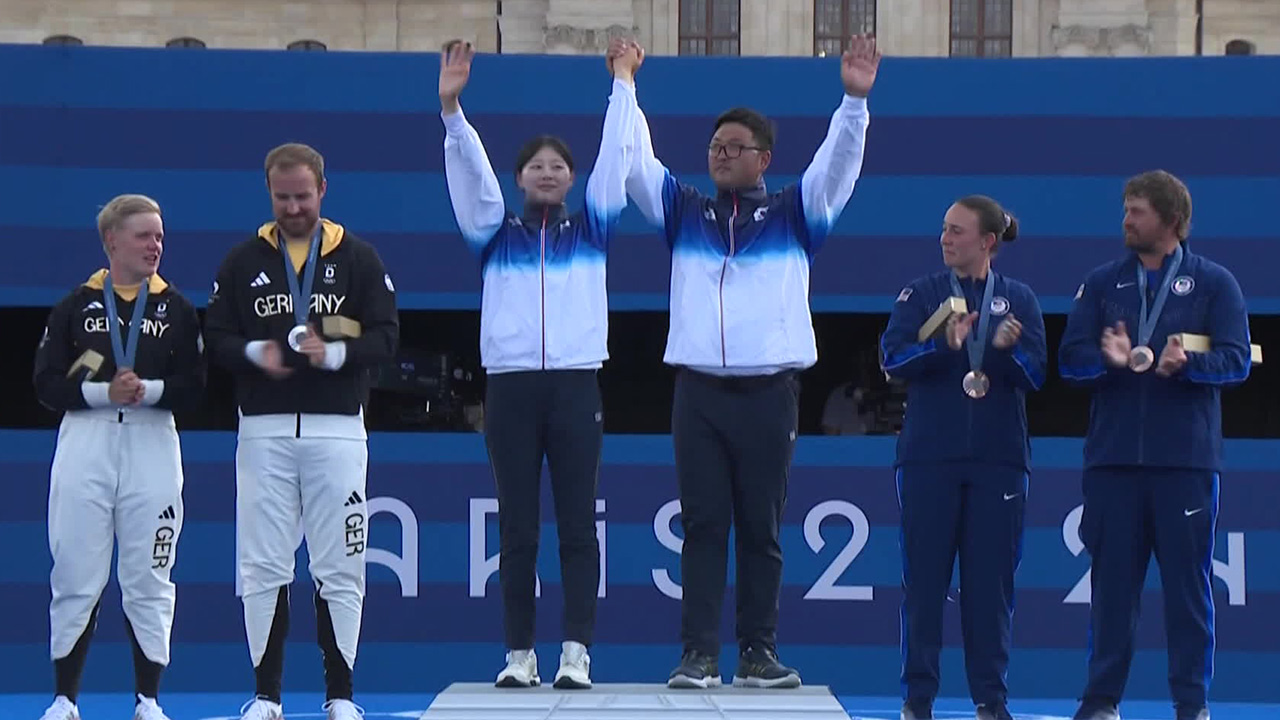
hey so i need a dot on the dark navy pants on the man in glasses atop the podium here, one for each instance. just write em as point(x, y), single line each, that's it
point(734, 440)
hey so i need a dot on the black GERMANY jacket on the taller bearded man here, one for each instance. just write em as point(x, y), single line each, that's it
point(252, 302)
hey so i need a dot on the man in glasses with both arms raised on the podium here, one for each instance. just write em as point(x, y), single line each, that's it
point(740, 332)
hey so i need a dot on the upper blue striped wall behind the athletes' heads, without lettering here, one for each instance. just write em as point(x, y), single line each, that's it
point(1053, 139)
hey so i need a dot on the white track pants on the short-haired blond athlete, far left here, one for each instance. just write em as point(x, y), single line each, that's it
point(115, 481)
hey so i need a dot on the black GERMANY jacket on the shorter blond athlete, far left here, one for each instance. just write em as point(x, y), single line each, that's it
point(168, 358)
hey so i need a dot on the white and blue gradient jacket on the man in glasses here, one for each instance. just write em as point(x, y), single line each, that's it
point(740, 261)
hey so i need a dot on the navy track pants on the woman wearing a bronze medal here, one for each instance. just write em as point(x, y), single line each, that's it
point(973, 511)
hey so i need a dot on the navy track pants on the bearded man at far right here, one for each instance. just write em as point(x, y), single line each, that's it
point(1131, 513)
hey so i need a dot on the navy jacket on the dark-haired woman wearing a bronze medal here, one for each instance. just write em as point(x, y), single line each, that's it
point(943, 423)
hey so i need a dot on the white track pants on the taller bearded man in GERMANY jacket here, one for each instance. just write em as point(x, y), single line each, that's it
point(294, 489)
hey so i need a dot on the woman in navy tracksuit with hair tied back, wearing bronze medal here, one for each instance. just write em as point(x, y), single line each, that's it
point(963, 454)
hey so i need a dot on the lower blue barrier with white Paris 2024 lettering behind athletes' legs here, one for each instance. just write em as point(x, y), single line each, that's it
point(433, 613)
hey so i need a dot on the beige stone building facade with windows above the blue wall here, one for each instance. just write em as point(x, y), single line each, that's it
point(668, 28)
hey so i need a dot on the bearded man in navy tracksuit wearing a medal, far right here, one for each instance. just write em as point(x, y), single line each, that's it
point(1155, 444)
